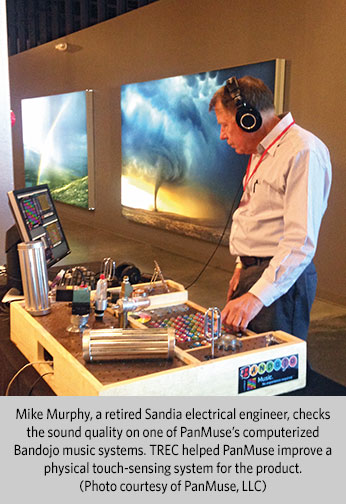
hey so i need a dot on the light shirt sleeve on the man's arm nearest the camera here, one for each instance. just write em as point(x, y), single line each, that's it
point(305, 201)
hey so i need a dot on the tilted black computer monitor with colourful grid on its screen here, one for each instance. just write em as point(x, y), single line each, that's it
point(37, 219)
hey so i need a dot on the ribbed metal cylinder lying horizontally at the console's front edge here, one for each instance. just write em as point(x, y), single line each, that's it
point(116, 344)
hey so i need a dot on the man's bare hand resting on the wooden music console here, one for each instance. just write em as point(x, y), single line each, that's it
point(239, 312)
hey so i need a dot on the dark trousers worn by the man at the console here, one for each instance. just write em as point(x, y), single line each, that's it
point(289, 313)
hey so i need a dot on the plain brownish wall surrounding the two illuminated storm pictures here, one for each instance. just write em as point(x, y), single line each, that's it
point(186, 36)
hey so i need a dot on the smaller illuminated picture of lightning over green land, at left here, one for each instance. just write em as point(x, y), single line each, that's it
point(58, 146)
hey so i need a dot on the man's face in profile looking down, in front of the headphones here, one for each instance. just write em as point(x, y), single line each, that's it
point(241, 141)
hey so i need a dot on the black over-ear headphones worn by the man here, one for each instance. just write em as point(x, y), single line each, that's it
point(248, 118)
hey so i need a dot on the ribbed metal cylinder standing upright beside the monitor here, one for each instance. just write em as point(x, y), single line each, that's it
point(33, 268)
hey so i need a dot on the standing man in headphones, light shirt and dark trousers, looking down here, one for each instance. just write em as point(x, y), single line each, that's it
point(275, 228)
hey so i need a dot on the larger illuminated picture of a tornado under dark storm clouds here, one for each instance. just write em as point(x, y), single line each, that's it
point(176, 172)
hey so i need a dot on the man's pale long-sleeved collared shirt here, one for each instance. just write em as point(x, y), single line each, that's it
point(281, 209)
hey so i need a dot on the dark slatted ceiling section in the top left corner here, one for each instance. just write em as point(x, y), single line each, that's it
point(35, 22)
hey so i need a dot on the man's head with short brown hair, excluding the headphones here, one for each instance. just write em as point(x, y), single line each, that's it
point(257, 95)
